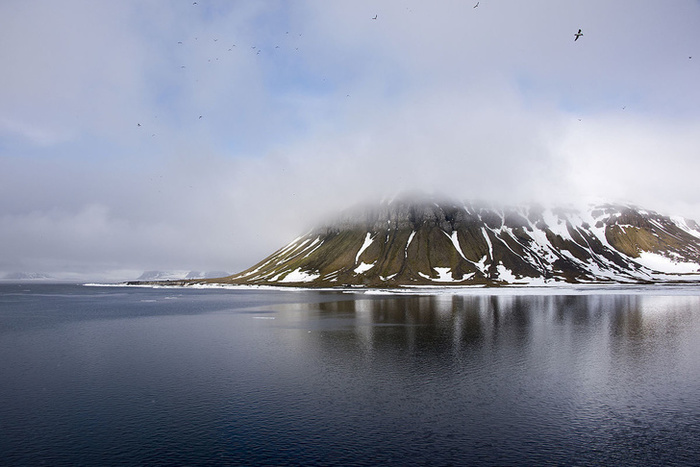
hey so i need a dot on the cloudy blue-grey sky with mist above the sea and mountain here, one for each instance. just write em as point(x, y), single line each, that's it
point(140, 135)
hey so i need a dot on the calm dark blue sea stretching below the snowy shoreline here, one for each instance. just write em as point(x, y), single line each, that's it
point(108, 375)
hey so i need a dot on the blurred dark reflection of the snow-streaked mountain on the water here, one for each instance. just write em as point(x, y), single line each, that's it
point(538, 327)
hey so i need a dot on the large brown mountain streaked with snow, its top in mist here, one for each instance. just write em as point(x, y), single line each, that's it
point(429, 242)
